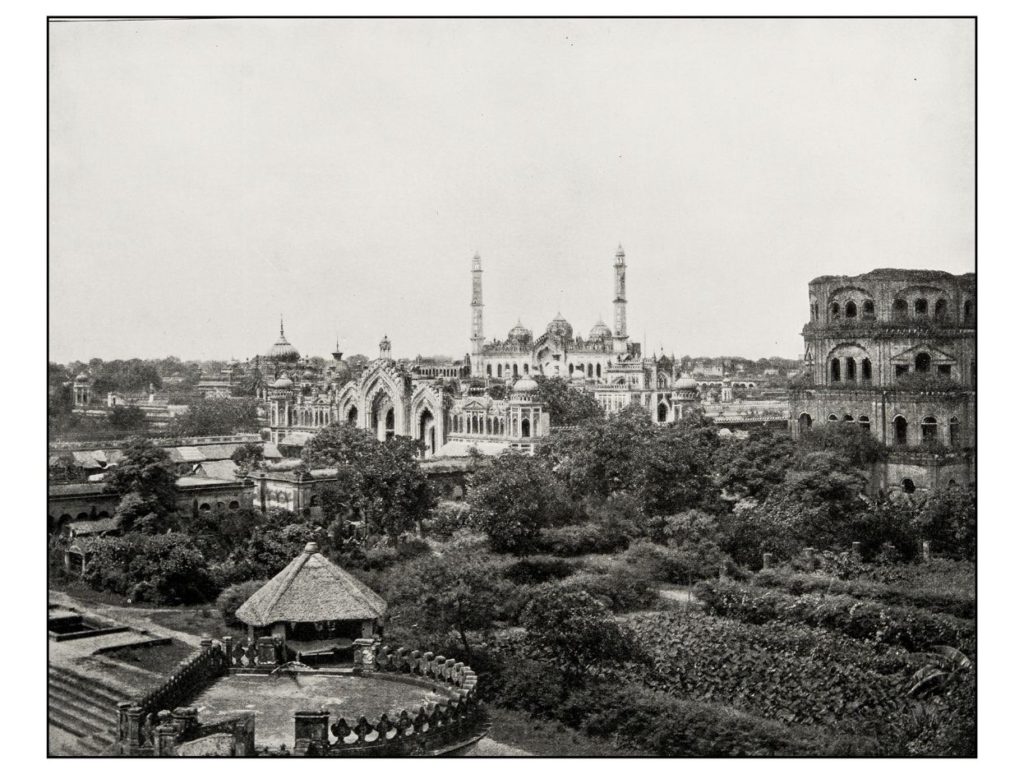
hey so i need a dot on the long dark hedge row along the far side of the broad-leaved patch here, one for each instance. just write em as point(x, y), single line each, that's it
point(892, 625)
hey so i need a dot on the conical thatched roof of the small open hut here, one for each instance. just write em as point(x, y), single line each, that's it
point(309, 590)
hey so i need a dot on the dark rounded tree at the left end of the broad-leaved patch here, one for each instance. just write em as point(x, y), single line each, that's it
point(575, 631)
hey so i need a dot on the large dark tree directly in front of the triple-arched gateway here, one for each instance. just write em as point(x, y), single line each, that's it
point(387, 486)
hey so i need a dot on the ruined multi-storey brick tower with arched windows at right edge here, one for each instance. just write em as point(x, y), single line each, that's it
point(895, 352)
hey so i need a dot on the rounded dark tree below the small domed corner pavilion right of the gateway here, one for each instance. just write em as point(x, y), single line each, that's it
point(513, 500)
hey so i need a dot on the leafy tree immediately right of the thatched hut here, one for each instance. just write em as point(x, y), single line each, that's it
point(450, 594)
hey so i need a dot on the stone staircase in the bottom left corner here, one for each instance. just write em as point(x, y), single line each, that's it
point(86, 710)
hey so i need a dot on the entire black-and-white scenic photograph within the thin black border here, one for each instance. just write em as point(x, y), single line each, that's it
point(498, 388)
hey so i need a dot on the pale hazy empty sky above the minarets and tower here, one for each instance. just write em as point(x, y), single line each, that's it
point(206, 177)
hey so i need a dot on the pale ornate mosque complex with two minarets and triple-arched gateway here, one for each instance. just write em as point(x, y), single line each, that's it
point(451, 411)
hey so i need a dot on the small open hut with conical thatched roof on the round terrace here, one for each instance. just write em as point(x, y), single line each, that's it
point(315, 608)
